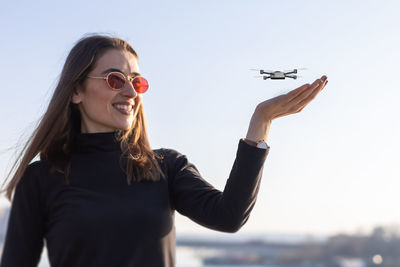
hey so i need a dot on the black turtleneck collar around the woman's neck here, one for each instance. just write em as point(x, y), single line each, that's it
point(96, 142)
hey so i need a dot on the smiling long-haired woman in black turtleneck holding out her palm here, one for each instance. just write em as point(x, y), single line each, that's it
point(100, 196)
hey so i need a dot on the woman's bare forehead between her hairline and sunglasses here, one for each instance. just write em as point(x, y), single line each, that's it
point(117, 59)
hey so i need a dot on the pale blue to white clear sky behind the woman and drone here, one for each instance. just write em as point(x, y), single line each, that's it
point(333, 167)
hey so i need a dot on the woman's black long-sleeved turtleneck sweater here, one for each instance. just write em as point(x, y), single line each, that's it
point(99, 220)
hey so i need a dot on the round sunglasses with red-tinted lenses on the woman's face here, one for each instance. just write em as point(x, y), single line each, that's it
point(116, 81)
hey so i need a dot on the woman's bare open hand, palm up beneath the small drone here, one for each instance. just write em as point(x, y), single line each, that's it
point(290, 103)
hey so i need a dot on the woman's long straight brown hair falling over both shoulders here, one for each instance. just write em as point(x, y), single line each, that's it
point(53, 137)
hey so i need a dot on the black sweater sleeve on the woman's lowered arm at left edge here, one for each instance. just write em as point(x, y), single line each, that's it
point(24, 239)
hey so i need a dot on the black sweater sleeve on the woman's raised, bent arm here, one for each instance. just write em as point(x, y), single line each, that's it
point(225, 211)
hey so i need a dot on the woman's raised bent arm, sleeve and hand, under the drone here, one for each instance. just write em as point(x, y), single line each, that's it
point(229, 210)
